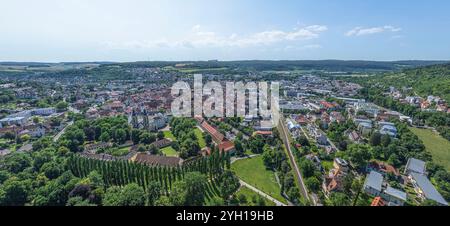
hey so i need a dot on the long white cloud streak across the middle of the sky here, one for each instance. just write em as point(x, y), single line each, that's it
point(197, 37)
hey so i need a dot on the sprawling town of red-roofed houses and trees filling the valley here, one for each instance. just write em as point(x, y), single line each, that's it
point(331, 145)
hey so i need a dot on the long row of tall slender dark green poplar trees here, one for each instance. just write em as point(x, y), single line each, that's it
point(121, 173)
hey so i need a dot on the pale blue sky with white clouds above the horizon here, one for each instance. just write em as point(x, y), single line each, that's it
point(134, 30)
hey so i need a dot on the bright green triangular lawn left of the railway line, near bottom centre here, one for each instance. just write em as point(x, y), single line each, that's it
point(255, 173)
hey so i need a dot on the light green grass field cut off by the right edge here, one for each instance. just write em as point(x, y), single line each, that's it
point(436, 145)
